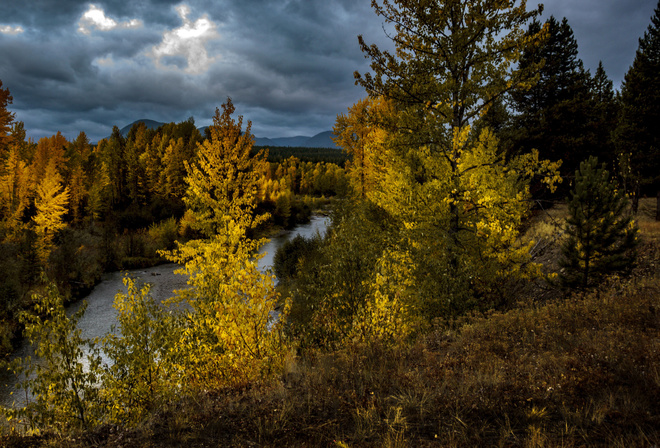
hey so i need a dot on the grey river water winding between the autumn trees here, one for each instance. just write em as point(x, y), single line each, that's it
point(100, 315)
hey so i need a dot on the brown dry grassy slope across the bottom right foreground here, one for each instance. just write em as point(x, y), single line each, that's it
point(582, 371)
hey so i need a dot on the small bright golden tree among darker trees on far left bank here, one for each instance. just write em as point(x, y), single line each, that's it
point(51, 204)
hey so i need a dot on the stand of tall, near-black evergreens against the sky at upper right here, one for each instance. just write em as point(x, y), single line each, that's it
point(569, 113)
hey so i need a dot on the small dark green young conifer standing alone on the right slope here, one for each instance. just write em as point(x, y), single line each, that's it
point(601, 234)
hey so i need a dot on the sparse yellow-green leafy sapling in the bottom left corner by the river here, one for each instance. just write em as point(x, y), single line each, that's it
point(60, 384)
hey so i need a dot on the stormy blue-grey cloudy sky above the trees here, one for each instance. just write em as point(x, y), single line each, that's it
point(288, 65)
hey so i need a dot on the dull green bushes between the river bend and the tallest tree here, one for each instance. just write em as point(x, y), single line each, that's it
point(332, 283)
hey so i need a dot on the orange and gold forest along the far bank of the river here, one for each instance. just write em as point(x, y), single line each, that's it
point(71, 210)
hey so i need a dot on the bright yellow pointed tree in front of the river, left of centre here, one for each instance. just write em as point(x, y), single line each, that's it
point(230, 334)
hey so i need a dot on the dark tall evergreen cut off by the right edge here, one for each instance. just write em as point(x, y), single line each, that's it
point(638, 133)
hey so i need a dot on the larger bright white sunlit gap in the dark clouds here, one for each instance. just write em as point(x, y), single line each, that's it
point(187, 43)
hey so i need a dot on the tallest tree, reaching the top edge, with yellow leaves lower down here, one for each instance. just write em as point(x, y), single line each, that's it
point(458, 202)
